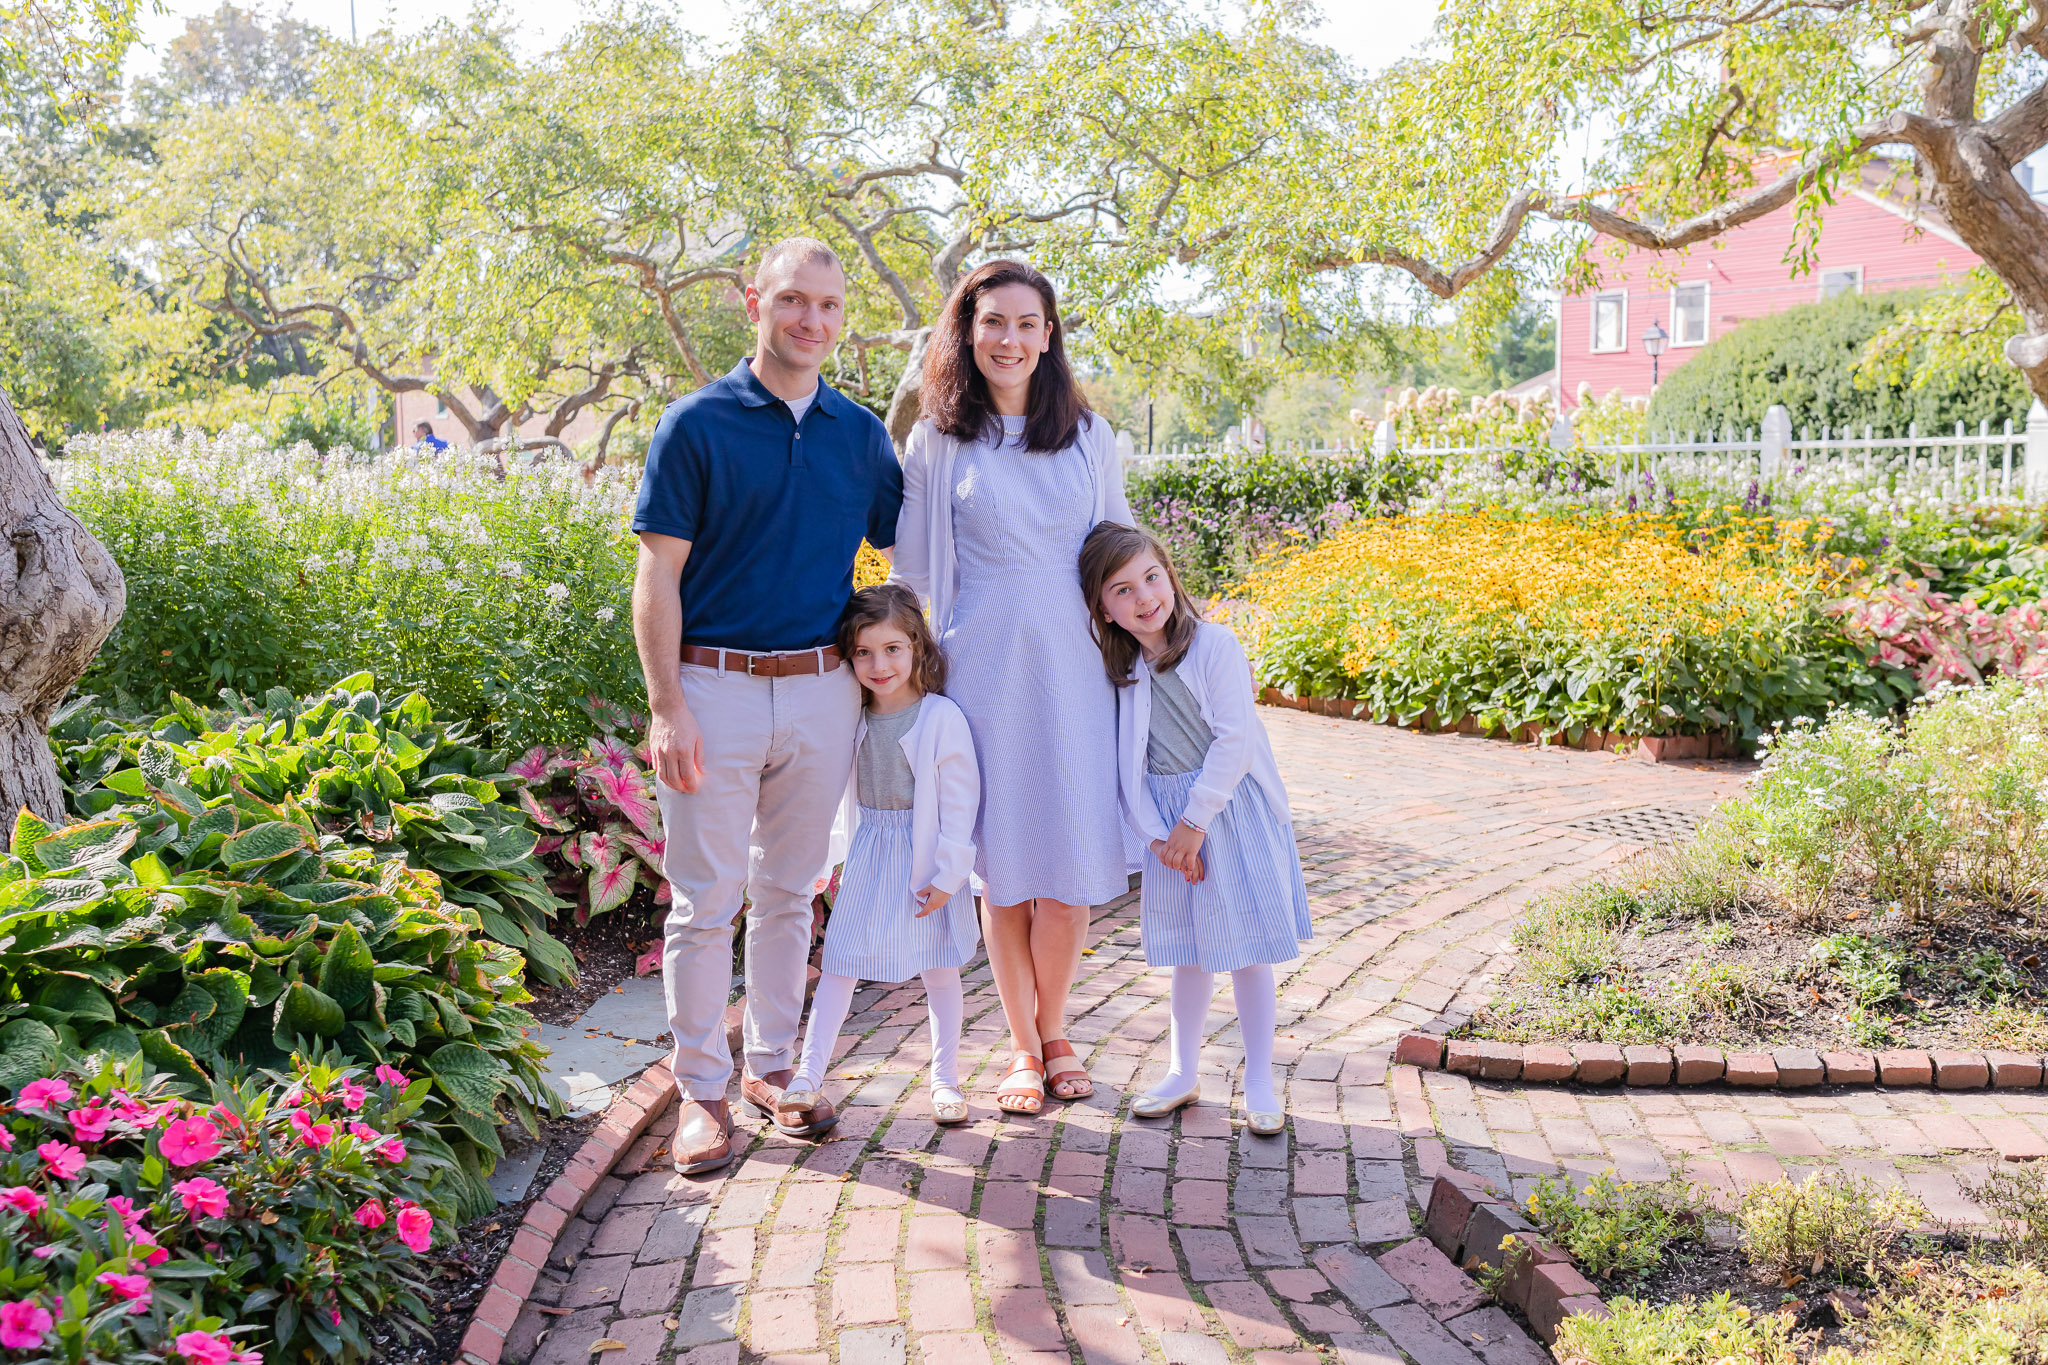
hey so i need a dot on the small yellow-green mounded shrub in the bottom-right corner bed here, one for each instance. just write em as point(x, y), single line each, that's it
point(1832, 1223)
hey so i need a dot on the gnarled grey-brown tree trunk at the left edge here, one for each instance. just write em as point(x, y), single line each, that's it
point(60, 595)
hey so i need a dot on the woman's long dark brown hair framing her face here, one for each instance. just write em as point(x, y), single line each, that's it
point(957, 396)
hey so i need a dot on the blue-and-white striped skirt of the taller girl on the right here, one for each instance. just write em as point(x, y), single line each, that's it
point(1252, 904)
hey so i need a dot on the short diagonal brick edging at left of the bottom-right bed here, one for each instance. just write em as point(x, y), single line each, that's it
point(1467, 1223)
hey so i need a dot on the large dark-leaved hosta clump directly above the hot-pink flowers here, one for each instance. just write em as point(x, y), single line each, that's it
point(234, 932)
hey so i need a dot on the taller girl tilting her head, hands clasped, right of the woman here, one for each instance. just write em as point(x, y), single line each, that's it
point(1197, 781)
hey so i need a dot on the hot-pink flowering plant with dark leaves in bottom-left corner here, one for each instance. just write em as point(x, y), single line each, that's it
point(282, 1221)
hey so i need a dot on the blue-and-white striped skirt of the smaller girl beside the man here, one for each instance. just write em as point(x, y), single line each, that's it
point(873, 930)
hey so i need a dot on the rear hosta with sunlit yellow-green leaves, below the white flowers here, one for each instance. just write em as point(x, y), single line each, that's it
point(382, 775)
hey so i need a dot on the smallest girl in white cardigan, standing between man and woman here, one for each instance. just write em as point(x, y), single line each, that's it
point(910, 816)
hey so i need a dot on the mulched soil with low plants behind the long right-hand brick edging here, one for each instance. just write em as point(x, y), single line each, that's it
point(1869, 979)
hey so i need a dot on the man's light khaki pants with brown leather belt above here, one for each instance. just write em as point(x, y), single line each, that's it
point(759, 830)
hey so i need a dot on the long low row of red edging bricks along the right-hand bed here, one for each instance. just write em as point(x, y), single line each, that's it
point(1785, 1069)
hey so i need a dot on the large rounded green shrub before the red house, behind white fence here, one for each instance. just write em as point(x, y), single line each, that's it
point(1807, 361)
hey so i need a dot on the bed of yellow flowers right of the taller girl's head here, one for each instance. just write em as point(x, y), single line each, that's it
point(1623, 623)
